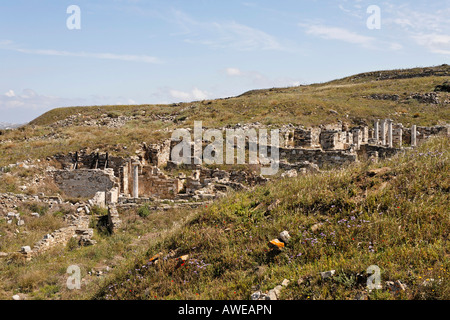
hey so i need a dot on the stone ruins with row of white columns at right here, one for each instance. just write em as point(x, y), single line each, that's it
point(336, 145)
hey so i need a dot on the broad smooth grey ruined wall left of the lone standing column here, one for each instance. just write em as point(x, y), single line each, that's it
point(85, 183)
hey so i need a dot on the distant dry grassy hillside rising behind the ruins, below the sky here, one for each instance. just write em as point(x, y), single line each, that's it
point(348, 100)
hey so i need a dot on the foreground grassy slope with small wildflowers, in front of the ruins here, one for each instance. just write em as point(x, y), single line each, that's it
point(393, 214)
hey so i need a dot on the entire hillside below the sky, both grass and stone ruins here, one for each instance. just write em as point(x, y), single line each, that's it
point(204, 232)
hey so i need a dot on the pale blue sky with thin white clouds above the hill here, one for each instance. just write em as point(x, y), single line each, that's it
point(143, 51)
